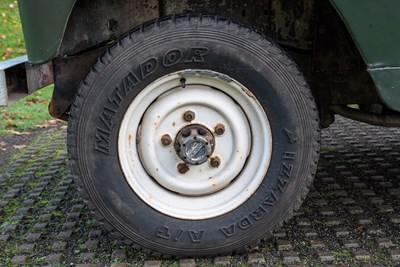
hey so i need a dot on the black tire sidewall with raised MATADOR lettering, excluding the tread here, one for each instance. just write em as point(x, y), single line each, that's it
point(109, 96)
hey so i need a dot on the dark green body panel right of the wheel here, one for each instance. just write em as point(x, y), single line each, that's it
point(374, 25)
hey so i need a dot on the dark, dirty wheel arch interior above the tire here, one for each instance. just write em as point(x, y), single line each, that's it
point(294, 25)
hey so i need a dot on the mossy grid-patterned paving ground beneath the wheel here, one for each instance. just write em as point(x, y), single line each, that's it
point(351, 216)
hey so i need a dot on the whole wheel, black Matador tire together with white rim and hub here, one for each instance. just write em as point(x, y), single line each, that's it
point(180, 79)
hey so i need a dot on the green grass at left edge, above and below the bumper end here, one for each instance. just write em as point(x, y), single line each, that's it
point(30, 112)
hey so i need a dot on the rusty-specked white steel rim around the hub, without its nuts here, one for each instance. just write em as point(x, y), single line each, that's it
point(203, 192)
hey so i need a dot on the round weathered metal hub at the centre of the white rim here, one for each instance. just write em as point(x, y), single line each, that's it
point(194, 144)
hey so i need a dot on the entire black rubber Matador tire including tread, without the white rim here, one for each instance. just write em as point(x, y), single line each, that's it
point(232, 49)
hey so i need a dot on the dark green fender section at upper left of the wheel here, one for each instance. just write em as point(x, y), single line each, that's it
point(43, 23)
